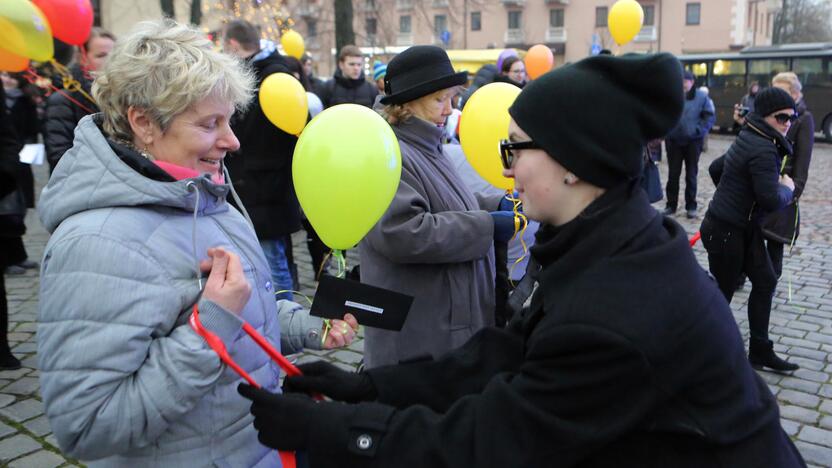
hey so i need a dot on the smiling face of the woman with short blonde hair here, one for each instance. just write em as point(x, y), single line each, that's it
point(198, 138)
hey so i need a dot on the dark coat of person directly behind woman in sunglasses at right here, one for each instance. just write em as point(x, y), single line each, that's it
point(783, 225)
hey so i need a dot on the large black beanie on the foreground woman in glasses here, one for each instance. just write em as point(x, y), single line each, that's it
point(595, 116)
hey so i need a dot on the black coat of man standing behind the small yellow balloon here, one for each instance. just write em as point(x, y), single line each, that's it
point(261, 169)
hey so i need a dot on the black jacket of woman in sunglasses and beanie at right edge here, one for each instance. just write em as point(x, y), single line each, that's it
point(747, 175)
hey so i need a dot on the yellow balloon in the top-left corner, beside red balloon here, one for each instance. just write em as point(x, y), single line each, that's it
point(24, 30)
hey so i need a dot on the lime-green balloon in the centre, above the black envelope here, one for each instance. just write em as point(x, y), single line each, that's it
point(346, 170)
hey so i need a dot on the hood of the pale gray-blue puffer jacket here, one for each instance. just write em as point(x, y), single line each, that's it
point(91, 176)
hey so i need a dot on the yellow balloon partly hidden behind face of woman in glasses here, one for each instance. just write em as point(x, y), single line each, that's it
point(483, 124)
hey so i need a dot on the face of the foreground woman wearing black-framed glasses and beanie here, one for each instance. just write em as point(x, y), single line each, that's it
point(538, 179)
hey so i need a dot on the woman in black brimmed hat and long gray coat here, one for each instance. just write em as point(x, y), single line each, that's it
point(435, 242)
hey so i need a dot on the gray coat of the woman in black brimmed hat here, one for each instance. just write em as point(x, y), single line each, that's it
point(434, 243)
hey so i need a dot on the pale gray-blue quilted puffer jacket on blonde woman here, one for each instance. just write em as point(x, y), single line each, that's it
point(125, 380)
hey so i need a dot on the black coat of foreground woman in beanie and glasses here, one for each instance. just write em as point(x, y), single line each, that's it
point(605, 369)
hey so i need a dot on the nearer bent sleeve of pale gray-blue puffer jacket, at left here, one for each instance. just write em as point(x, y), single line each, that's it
point(118, 361)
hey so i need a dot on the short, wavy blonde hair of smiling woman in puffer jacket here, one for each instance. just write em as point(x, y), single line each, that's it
point(164, 68)
